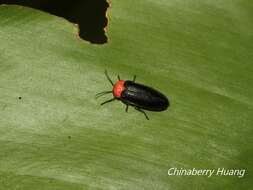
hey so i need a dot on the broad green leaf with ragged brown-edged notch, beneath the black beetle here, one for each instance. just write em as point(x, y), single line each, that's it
point(57, 136)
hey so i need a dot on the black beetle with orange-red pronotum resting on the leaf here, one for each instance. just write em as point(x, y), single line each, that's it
point(139, 96)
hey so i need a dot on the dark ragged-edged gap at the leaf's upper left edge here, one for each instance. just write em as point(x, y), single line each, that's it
point(90, 15)
